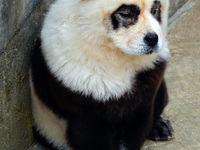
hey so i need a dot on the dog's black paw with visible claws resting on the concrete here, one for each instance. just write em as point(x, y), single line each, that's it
point(162, 131)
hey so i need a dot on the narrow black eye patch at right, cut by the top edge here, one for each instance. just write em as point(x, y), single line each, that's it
point(156, 10)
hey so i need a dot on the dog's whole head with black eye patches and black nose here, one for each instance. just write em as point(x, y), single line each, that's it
point(136, 27)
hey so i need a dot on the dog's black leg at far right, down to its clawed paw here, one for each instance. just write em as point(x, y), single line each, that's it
point(162, 129)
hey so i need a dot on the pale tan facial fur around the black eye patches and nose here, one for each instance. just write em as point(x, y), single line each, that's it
point(131, 39)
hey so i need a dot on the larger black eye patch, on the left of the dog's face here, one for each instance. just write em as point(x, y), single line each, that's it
point(125, 16)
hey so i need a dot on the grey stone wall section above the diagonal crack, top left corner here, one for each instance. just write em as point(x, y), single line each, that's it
point(13, 13)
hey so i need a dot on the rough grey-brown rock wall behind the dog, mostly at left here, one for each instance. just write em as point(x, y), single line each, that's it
point(20, 21)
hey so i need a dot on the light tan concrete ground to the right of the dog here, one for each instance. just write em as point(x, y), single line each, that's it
point(183, 80)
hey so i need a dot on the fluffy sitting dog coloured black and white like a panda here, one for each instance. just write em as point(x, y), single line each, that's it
point(97, 75)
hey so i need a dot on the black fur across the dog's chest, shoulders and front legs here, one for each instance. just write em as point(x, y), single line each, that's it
point(96, 125)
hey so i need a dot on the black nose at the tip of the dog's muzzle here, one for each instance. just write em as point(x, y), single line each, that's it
point(151, 39)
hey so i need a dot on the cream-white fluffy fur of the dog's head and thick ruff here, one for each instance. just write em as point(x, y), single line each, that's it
point(88, 56)
